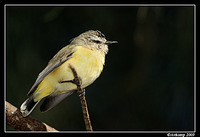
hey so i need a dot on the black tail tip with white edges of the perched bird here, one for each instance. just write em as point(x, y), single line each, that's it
point(28, 106)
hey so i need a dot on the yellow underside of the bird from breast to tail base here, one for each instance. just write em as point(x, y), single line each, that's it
point(88, 64)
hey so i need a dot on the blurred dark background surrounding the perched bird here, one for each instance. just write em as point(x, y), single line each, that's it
point(147, 82)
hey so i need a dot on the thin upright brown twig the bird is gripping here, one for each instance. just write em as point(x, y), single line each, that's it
point(81, 94)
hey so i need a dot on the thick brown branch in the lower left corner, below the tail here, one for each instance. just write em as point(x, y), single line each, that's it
point(18, 122)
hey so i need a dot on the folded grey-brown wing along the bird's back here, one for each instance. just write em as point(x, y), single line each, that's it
point(63, 55)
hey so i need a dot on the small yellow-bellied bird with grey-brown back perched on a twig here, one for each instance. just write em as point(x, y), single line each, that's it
point(86, 53)
